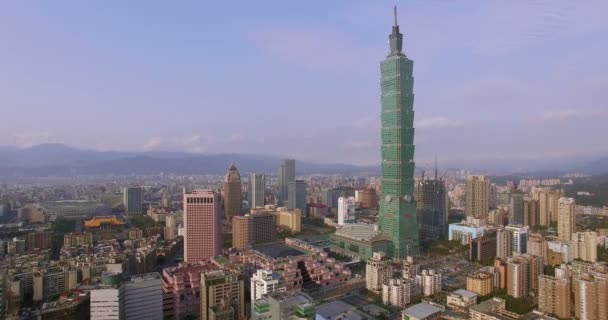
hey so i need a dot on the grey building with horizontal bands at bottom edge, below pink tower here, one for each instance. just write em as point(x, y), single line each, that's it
point(143, 297)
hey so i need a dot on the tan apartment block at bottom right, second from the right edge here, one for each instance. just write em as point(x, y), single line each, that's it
point(554, 296)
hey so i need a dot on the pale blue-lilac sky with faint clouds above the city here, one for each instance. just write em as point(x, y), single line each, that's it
point(493, 79)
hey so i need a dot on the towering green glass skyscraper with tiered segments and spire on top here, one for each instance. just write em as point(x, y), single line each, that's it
point(397, 205)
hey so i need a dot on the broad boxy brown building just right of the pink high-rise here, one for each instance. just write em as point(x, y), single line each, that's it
point(251, 229)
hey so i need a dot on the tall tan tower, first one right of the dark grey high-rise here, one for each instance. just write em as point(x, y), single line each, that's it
point(477, 196)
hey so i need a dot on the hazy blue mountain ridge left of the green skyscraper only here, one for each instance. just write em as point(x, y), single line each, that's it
point(62, 160)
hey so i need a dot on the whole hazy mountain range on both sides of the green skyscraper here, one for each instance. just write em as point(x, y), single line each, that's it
point(62, 160)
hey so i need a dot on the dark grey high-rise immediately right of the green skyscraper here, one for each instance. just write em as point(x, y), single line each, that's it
point(432, 209)
